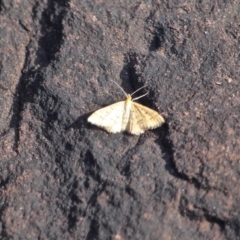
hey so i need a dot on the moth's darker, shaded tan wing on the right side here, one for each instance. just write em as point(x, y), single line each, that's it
point(143, 118)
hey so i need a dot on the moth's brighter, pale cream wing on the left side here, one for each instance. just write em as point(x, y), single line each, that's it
point(110, 118)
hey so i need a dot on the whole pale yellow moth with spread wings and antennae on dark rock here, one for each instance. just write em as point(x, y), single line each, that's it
point(126, 116)
